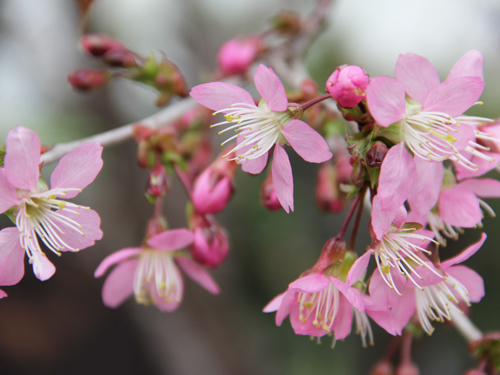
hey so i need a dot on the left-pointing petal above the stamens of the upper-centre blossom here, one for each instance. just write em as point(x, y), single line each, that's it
point(218, 95)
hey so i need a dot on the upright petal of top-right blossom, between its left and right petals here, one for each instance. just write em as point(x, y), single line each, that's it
point(417, 75)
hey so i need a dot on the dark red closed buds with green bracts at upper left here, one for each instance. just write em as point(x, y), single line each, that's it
point(161, 74)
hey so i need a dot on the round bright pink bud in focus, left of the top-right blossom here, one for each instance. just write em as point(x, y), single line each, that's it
point(347, 85)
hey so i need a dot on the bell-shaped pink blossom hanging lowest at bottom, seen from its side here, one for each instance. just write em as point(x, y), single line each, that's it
point(319, 303)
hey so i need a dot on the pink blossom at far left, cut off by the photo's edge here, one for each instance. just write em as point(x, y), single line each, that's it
point(38, 211)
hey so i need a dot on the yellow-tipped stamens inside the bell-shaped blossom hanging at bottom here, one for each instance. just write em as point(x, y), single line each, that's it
point(322, 307)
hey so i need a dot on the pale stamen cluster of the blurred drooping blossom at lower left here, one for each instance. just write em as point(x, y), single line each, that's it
point(156, 276)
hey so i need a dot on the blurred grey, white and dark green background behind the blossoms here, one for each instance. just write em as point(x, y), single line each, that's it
point(61, 327)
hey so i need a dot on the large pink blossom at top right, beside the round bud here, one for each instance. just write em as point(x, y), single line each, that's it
point(427, 113)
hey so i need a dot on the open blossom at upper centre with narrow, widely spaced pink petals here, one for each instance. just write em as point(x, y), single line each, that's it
point(259, 128)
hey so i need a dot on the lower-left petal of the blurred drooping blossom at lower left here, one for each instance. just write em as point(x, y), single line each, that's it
point(119, 285)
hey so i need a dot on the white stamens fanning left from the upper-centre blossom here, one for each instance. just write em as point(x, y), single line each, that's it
point(259, 127)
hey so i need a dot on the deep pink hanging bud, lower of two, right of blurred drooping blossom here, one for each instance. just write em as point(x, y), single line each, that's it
point(211, 244)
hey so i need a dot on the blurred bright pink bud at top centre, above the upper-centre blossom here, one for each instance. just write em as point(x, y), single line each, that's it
point(236, 55)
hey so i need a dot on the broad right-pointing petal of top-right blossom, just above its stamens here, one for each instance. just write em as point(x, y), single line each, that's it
point(454, 96)
